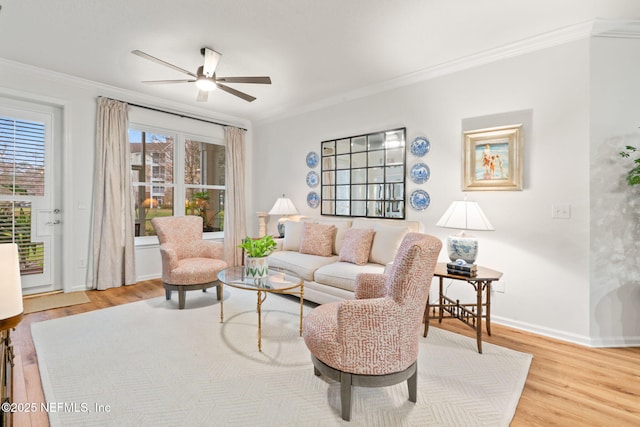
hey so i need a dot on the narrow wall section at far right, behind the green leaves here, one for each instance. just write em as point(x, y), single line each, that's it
point(615, 207)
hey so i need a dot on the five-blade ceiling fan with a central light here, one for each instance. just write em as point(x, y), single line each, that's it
point(205, 78)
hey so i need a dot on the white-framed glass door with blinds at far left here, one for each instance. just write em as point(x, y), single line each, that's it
point(28, 215)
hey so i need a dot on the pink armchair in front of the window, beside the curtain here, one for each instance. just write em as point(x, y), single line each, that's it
point(188, 262)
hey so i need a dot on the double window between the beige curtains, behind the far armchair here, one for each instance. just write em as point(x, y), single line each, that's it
point(169, 167)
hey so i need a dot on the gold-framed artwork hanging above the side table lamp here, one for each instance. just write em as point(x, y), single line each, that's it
point(493, 159)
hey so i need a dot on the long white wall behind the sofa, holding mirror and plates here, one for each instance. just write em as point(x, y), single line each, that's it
point(545, 261)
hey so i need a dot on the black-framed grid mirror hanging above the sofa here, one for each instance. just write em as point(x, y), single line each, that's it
point(364, 175)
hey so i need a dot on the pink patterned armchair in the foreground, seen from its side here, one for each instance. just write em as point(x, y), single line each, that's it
point(372, 341)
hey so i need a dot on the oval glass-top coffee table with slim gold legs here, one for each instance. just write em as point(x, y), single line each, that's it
point(277, 282)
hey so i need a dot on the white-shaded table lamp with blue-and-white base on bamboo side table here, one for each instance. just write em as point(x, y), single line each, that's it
point(464, 215)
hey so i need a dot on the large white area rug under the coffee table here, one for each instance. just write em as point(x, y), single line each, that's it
point(149, 364)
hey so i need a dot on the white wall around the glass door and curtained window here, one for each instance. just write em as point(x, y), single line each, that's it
point(77, 98)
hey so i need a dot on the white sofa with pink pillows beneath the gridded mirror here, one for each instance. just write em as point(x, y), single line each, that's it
point(331, 276)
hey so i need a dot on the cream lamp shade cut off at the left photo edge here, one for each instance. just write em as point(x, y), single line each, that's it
point(10, 284)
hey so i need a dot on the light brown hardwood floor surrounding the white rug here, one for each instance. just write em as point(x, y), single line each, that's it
point(568, 385)
